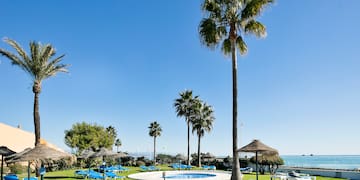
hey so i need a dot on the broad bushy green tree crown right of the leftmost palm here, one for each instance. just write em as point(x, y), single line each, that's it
point(89, 136)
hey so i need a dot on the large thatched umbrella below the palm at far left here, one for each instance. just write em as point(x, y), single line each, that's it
point(40, 152)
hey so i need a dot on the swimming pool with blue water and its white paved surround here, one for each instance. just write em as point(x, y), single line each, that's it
point(177, 175)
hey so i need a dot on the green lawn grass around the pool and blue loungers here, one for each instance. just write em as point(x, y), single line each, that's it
point(69, 174)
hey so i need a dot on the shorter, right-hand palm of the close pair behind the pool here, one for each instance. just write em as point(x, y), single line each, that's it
point(202, 123)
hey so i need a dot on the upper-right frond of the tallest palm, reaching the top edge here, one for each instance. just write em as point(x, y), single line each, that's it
point(254, 8)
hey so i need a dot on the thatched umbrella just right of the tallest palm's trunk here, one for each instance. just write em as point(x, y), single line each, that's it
point(257, 147)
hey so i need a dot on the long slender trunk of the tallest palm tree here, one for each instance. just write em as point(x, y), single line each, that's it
point(236, 174)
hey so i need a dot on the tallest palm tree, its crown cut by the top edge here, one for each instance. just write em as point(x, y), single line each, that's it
point(226, 22)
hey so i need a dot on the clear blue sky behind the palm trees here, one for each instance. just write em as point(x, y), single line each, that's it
point(299, 89)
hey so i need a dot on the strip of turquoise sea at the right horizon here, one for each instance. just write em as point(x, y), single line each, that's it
point(348, 162)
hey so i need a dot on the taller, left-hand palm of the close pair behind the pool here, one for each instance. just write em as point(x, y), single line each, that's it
point(184, 108)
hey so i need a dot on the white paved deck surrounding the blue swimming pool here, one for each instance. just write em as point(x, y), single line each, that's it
point(158, 175)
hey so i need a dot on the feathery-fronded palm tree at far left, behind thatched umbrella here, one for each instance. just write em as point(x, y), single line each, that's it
point(40, 65)
